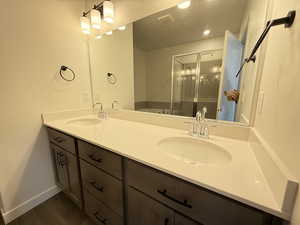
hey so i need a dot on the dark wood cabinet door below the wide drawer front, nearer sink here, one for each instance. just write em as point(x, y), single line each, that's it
point(142, 210)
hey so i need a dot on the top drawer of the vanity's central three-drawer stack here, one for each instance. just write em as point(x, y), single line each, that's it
point(103, 159)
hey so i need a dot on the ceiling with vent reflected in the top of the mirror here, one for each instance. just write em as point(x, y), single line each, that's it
point(175, 26)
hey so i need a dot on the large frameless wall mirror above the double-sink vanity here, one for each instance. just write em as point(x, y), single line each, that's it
point(183, 59)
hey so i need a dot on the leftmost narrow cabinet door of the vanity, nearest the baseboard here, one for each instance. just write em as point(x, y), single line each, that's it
point(60, 159)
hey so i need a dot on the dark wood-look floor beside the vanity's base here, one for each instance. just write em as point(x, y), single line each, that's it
point(58, 210)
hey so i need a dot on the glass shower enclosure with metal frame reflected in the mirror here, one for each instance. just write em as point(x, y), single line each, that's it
point(195, 83)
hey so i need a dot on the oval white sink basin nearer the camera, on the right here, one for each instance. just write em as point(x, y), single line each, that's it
point(194, 151)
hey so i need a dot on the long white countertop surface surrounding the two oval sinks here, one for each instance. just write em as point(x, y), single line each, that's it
point(241, 179)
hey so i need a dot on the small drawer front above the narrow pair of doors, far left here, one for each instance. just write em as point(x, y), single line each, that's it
point(62, 140)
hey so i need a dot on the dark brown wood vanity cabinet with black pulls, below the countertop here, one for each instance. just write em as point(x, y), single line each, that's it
point(116, 191)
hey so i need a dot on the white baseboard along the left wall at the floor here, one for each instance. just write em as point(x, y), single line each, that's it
point(30, 204)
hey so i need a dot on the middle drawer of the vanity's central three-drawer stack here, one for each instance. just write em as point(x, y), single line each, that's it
point(104, 187)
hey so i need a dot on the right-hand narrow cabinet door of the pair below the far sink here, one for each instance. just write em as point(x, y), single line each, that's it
point(73, 176)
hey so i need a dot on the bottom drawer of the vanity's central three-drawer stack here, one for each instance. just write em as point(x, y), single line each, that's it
point(99, 213)
